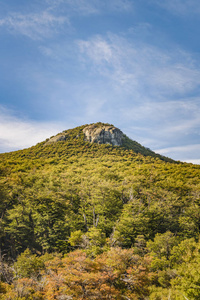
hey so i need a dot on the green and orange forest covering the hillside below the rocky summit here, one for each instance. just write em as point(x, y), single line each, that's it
point(80, 220)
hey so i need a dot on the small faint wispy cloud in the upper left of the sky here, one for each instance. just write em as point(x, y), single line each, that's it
point(33, 25)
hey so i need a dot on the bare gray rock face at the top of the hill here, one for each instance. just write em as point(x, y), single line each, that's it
point(103, 134)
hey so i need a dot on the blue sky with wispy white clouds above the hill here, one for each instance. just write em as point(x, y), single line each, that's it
point(131, 63)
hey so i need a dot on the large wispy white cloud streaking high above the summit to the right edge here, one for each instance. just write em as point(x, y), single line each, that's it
point(138, 66)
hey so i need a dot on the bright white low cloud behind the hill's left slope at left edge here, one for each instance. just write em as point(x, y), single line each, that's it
point(17, 134)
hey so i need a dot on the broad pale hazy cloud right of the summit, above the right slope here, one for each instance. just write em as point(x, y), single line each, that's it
point(161, 123)
